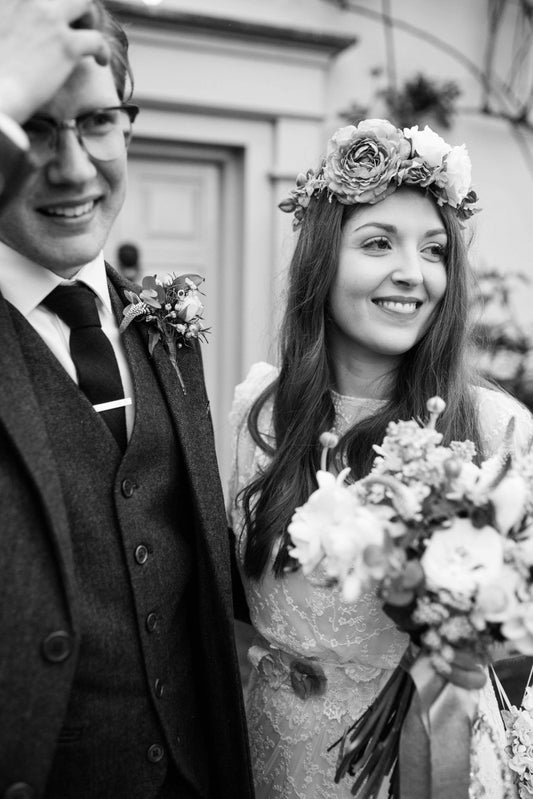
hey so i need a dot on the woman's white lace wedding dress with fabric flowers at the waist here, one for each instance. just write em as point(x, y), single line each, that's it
point(356, 645)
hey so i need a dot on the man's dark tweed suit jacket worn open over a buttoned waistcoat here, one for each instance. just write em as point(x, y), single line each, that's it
point(37, 590)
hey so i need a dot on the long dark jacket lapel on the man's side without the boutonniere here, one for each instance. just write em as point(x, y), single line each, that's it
point(21, 416)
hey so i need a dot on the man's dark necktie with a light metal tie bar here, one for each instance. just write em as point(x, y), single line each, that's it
point(92, 353)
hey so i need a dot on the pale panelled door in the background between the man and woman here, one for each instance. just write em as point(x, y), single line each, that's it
point(174, 215)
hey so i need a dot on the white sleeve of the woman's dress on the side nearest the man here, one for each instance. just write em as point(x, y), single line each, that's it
point(244, 449)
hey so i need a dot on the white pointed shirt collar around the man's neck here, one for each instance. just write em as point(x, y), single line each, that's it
point(25, 283)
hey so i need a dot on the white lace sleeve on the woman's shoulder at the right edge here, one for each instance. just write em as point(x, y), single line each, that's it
point(496, 409)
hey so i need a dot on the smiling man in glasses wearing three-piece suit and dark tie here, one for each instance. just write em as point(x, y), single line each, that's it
point(118, 672)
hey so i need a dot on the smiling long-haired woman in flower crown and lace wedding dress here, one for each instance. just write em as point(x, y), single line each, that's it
point(375, 324)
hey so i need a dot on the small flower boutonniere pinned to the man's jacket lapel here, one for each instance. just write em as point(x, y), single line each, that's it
point(172, 309)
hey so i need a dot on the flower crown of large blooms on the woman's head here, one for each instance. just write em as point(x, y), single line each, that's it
point(367, 162)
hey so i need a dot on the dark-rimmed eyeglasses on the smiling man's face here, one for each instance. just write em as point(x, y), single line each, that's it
point(104, 133)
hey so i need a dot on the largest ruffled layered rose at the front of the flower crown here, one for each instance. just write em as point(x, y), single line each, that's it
point(362, 162)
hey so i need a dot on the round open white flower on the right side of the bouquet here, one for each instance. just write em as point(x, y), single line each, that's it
point(460, 559)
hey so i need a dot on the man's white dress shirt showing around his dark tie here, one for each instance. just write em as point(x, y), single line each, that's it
point(25, 285)
